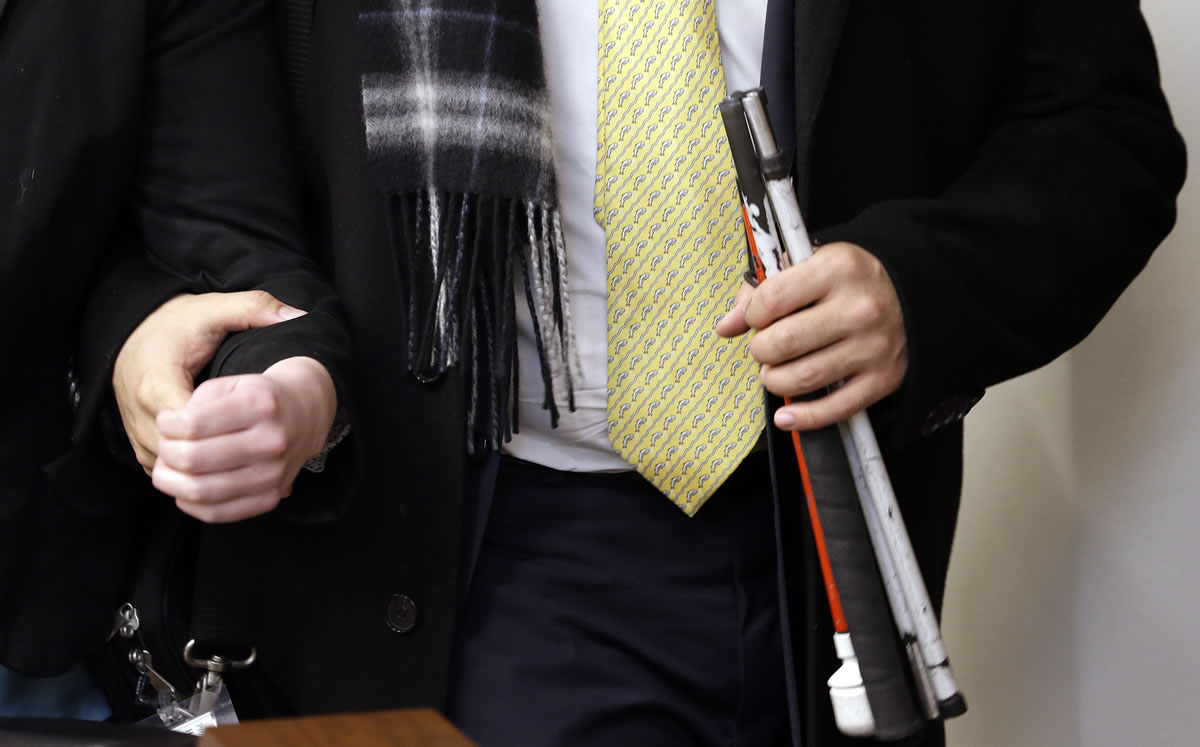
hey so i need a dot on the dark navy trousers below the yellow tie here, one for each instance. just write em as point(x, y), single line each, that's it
point(601, 614)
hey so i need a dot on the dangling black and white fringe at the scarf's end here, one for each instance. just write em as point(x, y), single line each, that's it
point(457, 261)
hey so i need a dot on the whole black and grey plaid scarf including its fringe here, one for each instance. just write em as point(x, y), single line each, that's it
point(459, 138)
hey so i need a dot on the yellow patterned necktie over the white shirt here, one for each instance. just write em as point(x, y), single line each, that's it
point(685, 405)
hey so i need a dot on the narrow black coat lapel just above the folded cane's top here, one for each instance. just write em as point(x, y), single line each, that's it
point(819, 26)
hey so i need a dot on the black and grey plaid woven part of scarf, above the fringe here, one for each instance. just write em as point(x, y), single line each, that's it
point(457, 89)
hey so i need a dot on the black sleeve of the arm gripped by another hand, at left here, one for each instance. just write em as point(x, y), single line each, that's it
point(215, 207)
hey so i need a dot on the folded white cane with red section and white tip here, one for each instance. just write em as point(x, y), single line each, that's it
point(778, 240)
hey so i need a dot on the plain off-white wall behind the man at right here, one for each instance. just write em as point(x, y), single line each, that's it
point(1073, 612)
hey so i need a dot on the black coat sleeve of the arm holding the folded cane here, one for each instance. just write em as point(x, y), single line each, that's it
point(1073, 188)
